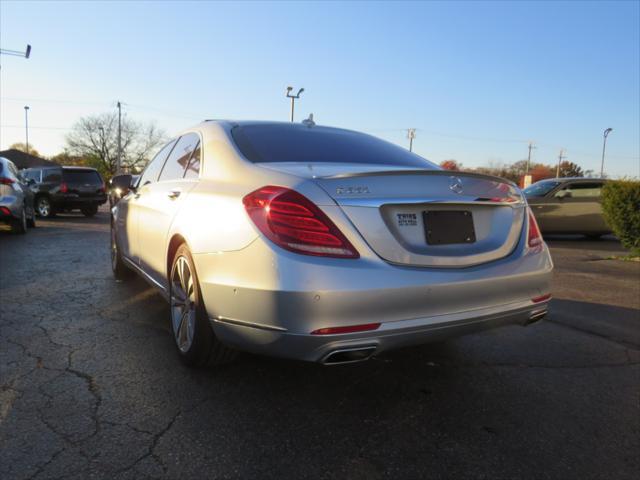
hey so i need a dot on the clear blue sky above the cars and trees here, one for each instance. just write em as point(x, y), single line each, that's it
point(478, 80)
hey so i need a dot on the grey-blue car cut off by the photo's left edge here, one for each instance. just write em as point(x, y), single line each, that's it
point(16, 198)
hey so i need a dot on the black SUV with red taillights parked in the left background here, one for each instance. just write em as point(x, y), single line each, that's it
point(61, 189)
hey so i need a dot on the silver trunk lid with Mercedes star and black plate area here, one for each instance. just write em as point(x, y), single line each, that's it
point(424, 218)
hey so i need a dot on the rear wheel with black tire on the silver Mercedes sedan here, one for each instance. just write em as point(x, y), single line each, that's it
point(194, 338)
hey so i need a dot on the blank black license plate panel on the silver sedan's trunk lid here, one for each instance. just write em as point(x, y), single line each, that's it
point(447, 227)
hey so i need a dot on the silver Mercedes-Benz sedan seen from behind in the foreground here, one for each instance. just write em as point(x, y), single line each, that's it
point(323, 244)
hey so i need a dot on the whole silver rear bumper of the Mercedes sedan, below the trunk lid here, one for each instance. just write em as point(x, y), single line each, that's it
point(264, 300)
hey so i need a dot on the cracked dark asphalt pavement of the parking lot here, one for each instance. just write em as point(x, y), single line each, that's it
point(91, 386)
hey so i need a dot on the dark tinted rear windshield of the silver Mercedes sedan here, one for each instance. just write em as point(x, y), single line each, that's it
point(267, 143)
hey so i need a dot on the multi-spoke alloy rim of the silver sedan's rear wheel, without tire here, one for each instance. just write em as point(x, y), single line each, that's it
point(183, 306)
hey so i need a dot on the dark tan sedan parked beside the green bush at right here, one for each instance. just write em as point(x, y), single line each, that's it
point(568, 205)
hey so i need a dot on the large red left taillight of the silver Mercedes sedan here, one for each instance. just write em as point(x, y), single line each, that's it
point(293, 222)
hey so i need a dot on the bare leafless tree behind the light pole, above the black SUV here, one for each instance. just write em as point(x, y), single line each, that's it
point(96, 139)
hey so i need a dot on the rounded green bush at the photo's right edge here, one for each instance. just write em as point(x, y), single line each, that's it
point(621, 208)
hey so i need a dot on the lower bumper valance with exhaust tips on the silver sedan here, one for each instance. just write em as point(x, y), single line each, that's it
point(390, 335)
